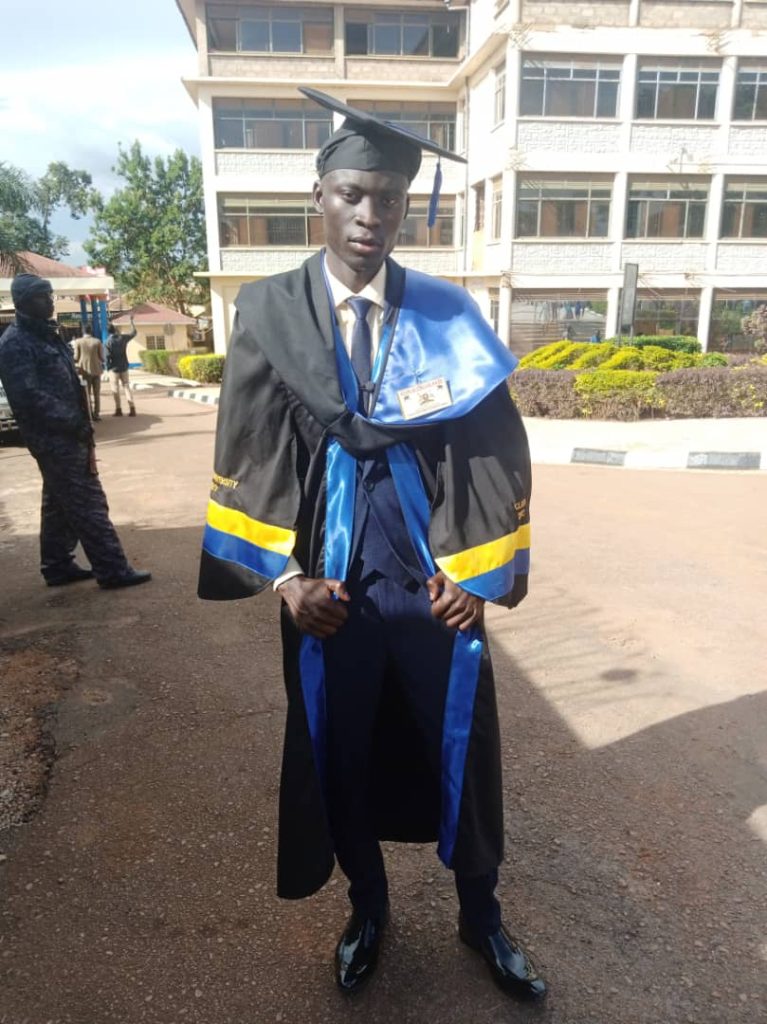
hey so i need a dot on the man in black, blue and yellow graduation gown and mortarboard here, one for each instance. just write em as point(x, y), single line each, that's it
point(372, 467)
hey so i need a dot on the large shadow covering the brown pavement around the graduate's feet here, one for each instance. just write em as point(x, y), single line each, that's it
point(144, 890)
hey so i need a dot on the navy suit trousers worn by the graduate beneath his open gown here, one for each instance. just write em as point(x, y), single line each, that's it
point(389, 626)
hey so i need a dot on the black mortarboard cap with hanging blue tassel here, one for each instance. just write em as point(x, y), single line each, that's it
point(366, 143)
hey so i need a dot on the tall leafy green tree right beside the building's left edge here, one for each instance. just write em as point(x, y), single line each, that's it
point(151, 234)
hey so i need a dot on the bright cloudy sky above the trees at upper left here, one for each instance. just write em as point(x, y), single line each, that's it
point(81, 76)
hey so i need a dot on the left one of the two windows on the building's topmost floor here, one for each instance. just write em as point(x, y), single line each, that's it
point(270, 29)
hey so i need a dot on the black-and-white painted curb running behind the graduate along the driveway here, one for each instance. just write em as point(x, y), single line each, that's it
point(671, 458)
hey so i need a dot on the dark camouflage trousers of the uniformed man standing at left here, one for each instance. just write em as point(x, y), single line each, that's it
point(74, 508)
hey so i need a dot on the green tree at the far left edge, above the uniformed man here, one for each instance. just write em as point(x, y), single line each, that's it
point(28, 205)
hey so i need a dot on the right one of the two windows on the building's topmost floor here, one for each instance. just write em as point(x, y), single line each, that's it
point(403, 34)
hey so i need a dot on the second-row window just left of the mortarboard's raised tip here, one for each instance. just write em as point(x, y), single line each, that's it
point(271, 124)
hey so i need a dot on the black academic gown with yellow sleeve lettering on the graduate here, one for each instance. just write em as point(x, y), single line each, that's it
point(281, 403)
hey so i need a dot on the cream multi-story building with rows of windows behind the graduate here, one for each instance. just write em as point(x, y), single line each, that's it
point(599, 135)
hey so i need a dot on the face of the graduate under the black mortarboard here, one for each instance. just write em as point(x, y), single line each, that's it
point(363, 212)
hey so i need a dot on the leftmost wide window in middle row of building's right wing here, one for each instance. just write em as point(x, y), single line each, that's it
point(564, 209)
